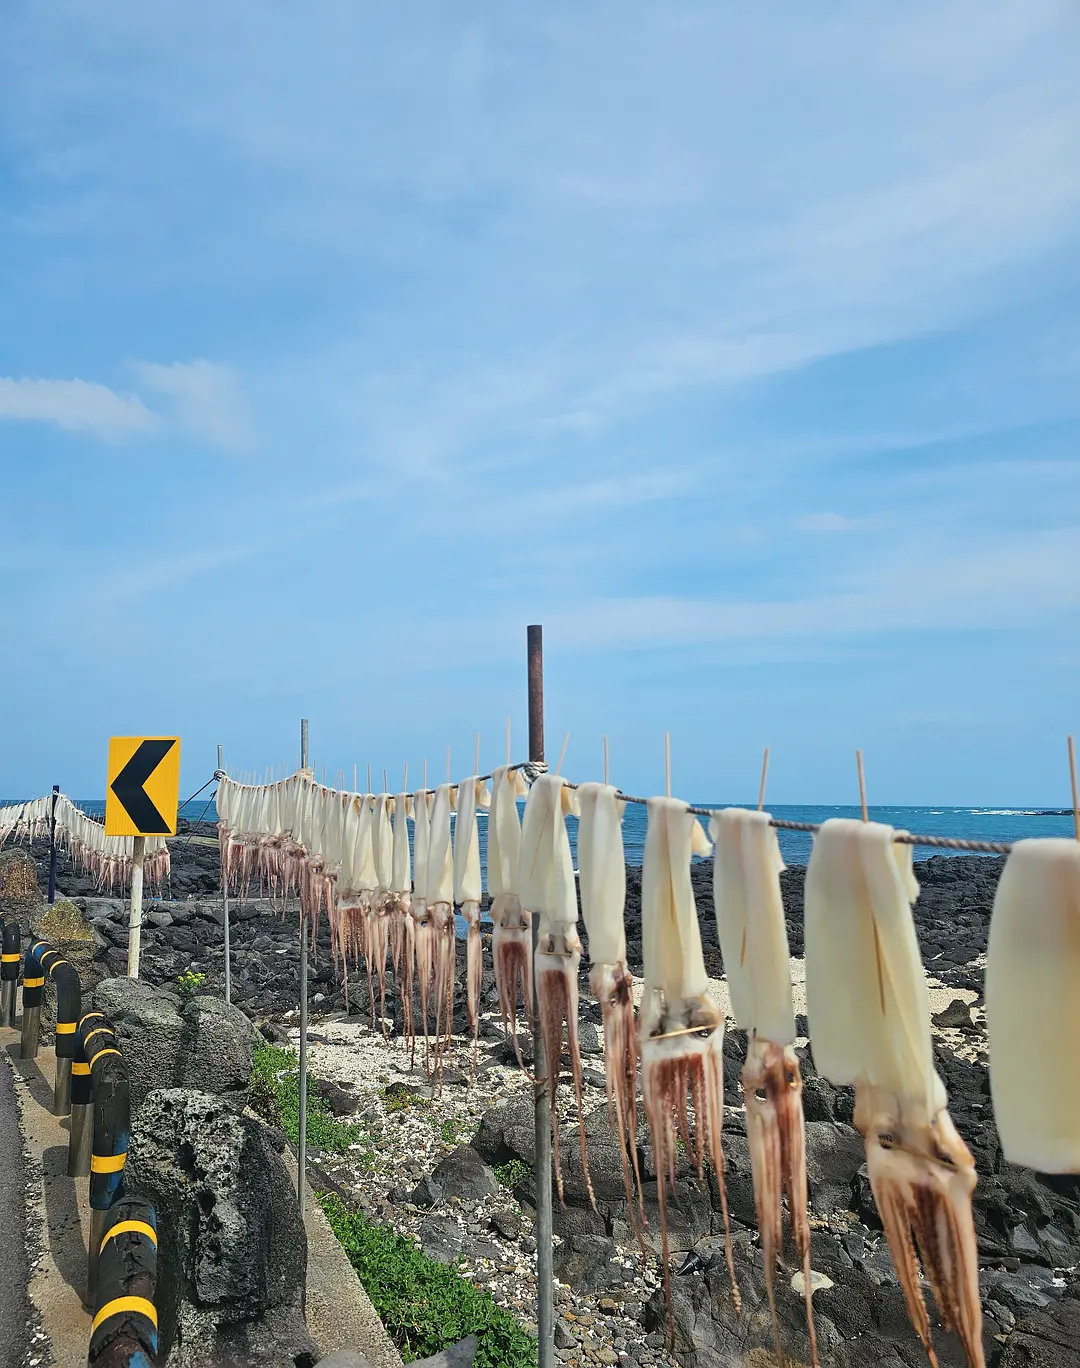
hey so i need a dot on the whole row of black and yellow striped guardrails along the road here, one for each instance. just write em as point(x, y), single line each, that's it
point(92, 1084)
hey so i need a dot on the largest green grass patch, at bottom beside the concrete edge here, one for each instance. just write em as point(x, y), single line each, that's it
point(425, 1306)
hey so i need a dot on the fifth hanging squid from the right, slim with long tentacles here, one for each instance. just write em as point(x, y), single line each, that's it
point(602, 864)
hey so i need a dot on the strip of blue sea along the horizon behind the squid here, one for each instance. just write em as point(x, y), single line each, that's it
point(985, 824)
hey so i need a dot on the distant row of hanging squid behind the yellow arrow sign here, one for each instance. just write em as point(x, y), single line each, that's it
point(107, 860)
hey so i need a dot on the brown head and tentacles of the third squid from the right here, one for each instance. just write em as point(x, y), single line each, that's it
point(777, 1136)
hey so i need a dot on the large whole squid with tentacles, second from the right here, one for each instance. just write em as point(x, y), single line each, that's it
point(869, 1009)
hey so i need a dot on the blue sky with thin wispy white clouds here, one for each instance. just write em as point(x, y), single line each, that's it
point(741, 350)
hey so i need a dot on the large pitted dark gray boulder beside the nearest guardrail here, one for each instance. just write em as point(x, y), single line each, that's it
point(232, 1250)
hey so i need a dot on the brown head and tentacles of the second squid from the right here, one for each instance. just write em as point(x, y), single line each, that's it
point(923, 1177)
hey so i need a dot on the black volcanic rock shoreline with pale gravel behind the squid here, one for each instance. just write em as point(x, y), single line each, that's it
point(452, 1168)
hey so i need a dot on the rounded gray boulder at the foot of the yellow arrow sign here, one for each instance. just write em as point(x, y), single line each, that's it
point(170, 1043)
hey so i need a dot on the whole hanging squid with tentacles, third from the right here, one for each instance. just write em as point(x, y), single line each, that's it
point(754, 942)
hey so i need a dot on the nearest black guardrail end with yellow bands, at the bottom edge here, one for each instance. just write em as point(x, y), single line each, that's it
point(125, 1315)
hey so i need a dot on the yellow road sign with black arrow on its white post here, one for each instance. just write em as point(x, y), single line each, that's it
point(142, 801)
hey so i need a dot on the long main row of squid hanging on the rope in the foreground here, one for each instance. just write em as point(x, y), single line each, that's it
point(869, 1005)
